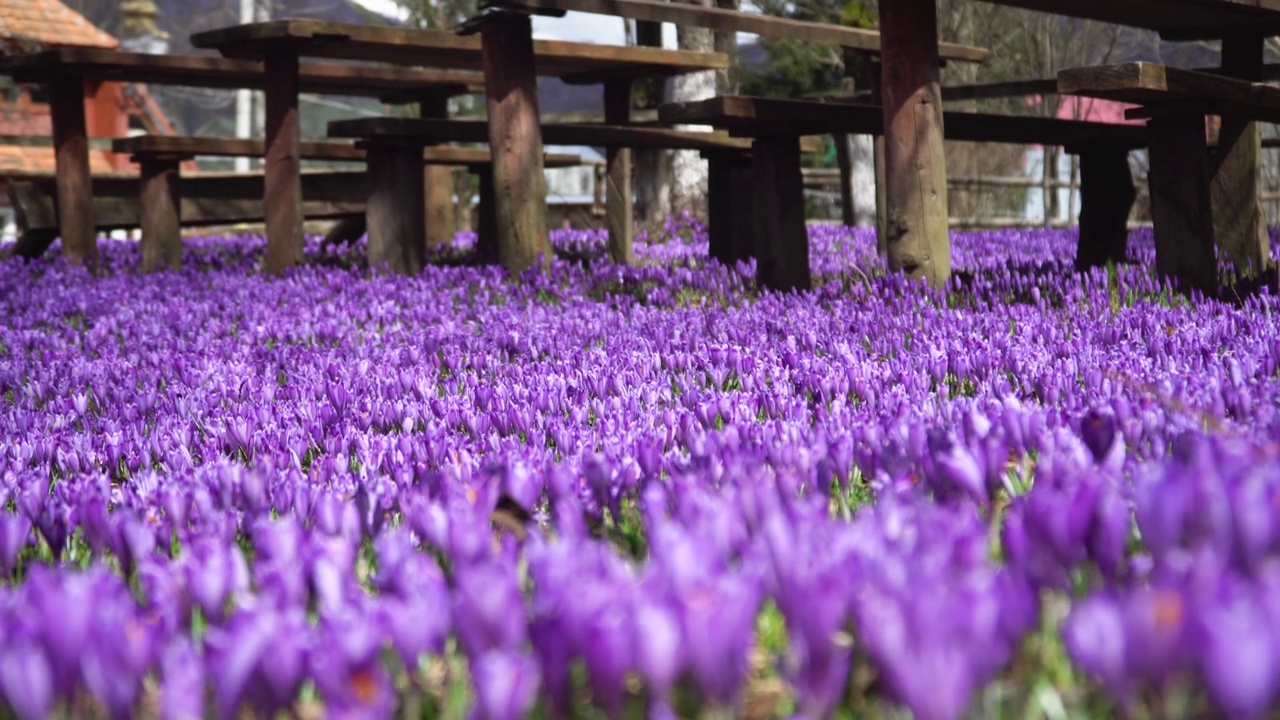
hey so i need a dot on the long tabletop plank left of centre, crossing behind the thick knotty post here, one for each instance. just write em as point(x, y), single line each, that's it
point(574, 62)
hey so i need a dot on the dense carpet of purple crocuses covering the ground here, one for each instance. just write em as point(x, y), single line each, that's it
point(637, 493)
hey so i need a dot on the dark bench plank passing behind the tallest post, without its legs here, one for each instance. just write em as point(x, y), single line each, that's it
point(758, 117)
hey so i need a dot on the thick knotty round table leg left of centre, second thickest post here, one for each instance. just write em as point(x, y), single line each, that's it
point(516, 142)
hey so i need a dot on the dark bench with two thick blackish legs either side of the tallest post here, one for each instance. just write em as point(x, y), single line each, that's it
point(781, 244)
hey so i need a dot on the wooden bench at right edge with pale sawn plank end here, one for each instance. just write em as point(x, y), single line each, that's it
point(1197, 194)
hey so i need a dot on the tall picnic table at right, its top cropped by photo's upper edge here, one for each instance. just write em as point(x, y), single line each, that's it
point(916, 172)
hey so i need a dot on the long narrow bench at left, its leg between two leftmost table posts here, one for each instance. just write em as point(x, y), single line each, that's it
point(159, 158)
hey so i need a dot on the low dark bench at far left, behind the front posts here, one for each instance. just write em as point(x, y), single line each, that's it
point(209, 199)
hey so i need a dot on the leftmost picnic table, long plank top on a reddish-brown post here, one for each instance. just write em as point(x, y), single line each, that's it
point(66, 71)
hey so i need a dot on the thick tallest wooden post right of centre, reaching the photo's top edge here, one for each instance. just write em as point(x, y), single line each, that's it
point(916, 170)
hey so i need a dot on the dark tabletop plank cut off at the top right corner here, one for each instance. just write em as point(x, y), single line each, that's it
point(1173, 20)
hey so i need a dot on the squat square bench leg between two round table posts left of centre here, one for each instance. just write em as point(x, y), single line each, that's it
point(397, 226)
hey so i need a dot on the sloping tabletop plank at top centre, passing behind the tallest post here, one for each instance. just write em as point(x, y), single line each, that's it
point(732, 21)
